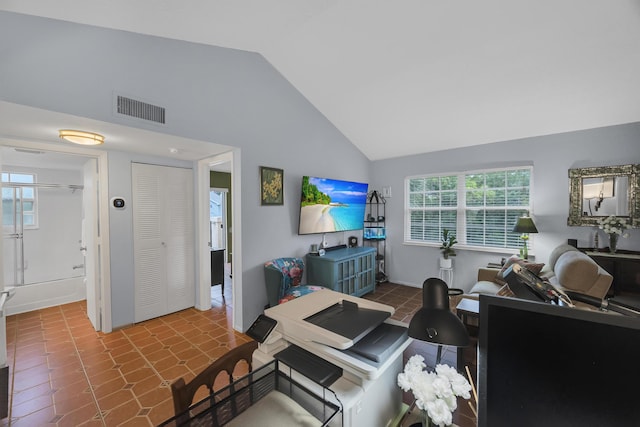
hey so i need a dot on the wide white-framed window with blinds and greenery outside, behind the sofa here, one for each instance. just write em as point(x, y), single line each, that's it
point(481, 206)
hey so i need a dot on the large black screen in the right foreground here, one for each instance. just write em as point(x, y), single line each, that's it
point(541, 364)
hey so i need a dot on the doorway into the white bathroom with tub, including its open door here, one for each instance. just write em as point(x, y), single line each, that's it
point(51, 246)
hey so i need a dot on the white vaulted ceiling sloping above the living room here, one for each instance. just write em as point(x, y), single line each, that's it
point(413, 76)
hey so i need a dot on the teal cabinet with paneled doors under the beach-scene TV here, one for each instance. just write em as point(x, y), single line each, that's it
point(351, 271)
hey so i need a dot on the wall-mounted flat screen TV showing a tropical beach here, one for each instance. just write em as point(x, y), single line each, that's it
point(330, 205)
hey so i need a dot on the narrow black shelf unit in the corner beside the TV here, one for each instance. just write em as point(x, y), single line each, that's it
point(375, 232)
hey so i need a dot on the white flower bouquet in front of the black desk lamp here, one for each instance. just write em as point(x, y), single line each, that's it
point(435, 392)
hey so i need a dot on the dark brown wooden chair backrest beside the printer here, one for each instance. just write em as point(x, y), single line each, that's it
point(183, 393)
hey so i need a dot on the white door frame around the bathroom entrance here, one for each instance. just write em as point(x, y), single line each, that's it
point(101, 249)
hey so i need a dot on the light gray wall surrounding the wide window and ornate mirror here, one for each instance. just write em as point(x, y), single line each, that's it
point(551, 156)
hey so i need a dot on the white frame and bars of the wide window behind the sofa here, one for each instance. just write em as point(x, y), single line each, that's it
point(512, 242)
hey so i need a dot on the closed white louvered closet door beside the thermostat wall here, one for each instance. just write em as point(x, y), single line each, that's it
point(163, 240)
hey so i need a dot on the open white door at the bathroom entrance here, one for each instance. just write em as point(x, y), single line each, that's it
point(89, 244)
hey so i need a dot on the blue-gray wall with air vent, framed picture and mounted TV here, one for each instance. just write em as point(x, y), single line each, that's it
point(212, 94)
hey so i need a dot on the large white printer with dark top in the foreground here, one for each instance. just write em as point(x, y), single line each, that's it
point(354, 334)
